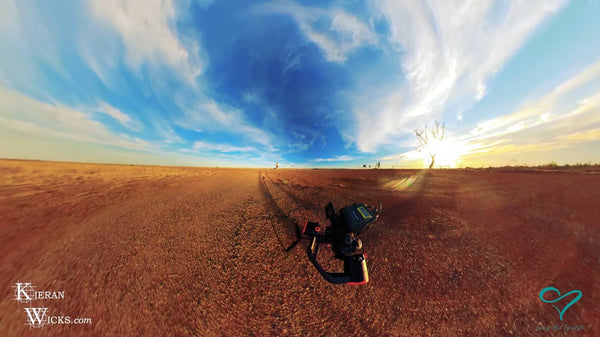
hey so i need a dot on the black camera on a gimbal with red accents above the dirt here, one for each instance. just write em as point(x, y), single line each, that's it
point(340, 235)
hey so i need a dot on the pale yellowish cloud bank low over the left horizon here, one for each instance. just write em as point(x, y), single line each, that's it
point(31, 129)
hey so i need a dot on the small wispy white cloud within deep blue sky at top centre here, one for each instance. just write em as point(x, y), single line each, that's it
point(342, 34)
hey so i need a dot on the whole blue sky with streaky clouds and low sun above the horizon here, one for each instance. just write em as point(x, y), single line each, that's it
point(304, 84)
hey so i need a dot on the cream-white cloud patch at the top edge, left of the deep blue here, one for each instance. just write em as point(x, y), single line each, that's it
point(148, 34)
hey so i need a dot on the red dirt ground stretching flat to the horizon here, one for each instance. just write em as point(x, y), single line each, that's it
point(165, 251)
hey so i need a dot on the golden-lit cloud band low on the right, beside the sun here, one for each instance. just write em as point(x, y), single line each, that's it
point(565, 117)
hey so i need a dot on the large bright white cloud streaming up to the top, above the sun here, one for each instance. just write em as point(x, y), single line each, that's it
point(449, 51)
